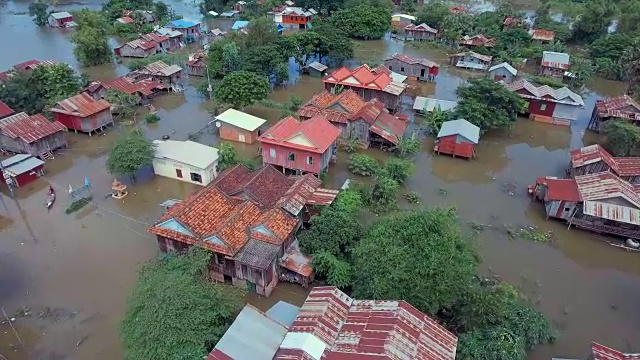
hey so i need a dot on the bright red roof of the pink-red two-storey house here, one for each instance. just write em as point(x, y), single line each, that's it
point(317, 130)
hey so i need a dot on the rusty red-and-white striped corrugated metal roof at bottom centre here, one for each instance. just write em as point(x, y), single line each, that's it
point(365, 329)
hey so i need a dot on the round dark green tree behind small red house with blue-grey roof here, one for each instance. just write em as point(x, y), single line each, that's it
point(488, 104)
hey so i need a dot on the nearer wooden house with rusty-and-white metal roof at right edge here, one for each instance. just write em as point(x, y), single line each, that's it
point(599, 202)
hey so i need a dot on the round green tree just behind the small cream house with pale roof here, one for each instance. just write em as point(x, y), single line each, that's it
point(242, 89)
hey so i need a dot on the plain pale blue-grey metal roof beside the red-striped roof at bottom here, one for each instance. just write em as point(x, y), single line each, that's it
point(263, 342)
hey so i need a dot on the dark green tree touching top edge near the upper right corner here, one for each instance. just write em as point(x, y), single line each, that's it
point(594, 20)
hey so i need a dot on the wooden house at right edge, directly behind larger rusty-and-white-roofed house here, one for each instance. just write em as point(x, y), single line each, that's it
point(594, 159)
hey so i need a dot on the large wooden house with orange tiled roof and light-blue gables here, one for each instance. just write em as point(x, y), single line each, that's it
point(246, 242)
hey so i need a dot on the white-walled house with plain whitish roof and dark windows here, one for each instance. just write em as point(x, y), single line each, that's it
point(185, 160)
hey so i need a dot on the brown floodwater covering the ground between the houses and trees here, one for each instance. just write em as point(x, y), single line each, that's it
point(74, 272)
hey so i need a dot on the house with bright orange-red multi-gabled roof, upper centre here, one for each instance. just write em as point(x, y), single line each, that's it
point(368, 84)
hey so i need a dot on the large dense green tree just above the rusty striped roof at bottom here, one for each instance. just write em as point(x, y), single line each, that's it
point(421, 257)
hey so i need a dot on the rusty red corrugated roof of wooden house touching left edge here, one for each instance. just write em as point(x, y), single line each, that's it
point(29, 128)
